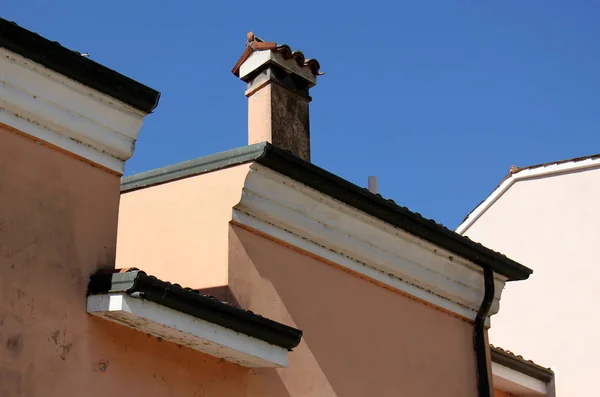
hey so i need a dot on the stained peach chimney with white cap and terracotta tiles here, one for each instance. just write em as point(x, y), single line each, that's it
point(278, 81)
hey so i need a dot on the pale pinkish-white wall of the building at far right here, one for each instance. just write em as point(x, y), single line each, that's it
point(551, 225)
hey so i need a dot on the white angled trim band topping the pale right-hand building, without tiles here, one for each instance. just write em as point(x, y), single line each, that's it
point(525, 174)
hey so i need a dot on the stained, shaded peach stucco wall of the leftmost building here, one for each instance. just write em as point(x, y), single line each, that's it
point(58, 223)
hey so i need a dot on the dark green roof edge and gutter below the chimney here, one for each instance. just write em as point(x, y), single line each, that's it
point(338, 188)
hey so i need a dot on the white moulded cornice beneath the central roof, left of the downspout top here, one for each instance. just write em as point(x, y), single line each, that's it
point(300, 216)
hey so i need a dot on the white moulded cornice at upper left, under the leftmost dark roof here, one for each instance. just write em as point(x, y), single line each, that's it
point(64, 113)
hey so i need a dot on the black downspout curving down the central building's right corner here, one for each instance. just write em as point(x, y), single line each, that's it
point(483, 378)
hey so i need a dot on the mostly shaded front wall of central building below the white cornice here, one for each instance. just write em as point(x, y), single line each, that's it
point(360, 339)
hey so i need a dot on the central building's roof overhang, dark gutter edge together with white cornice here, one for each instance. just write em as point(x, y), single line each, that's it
point(303, 206)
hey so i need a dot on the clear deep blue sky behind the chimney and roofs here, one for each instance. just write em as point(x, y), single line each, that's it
point(436, 98)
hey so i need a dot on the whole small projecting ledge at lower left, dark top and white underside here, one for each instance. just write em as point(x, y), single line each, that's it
point(189, 319)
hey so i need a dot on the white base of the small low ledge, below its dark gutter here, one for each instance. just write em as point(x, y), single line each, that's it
point(186, 330)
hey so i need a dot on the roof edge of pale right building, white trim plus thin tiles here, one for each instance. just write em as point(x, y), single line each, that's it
point(521, 173)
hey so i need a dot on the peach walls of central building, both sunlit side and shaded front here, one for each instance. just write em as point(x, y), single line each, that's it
point(360, 338)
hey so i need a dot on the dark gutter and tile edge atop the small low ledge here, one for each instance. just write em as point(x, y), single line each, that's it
point(136, 283)
